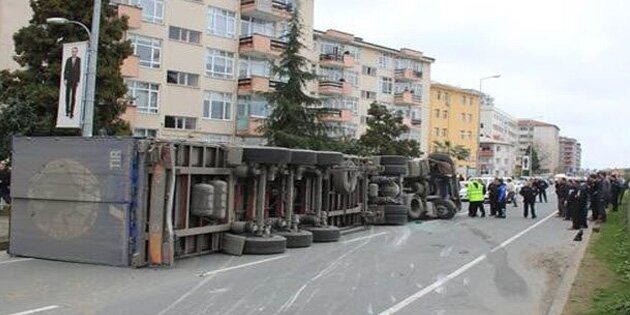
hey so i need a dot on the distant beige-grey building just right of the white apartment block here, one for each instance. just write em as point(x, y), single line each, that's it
point(545, 139)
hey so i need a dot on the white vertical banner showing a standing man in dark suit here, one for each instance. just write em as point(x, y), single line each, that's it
point(73, 85)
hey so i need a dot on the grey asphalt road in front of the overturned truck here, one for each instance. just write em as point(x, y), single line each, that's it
point(462, 266)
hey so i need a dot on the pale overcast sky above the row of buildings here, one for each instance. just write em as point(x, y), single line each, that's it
point(563, 62)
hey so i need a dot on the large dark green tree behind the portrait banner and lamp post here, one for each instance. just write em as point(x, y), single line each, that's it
point(30, 94)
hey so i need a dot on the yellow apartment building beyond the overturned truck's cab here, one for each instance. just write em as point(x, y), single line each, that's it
point(454, 117)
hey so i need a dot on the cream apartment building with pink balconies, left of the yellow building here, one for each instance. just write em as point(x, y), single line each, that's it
point(355, 73)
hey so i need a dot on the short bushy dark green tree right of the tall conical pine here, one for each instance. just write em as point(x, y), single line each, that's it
point(384, 130)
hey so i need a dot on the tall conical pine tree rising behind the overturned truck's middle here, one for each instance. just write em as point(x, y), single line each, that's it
point(294, 123)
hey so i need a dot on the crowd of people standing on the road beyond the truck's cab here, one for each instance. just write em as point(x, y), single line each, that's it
point(575, 197)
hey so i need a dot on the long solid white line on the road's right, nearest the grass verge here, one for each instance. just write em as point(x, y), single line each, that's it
point(440, 282)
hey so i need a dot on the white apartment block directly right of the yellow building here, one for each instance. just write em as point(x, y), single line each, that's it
point(499, 129)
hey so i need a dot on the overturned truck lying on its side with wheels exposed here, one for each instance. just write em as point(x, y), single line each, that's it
point(139, 202)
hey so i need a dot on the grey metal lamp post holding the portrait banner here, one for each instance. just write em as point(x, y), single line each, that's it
point(88, 107)
